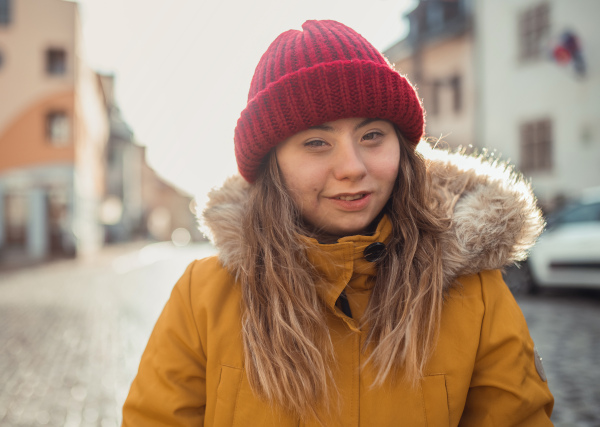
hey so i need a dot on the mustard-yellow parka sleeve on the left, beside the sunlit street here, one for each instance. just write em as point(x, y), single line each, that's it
point(170, 387)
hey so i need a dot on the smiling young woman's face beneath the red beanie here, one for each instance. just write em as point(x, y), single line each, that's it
point(341, 173)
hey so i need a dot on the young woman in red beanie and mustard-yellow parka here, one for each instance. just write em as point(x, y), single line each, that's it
point(357, 279)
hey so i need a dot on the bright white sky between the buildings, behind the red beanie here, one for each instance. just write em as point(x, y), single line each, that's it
point(183, 68)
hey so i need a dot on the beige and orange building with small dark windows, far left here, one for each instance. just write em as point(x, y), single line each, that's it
point(53, 133)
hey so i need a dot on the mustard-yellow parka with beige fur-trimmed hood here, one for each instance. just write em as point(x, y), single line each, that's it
point(484, 370)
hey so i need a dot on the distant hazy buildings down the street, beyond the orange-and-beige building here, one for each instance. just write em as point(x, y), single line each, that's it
point(138, 203)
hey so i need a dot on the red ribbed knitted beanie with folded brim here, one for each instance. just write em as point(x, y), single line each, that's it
point(324, 73)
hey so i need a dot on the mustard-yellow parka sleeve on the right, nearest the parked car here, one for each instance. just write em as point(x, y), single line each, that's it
point(506, 388)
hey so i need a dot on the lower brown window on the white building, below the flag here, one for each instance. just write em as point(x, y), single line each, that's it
point(536, 146)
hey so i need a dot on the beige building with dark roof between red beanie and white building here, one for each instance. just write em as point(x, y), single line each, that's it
point(437, 57)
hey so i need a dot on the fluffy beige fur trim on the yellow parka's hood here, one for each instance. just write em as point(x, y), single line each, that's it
point(495, 219)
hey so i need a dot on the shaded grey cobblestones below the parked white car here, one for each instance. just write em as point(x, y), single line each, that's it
point(565, 326)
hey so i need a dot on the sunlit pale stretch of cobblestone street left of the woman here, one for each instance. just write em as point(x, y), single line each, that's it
point(73, 333)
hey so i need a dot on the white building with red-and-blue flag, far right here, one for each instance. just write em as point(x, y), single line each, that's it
point(538, 72)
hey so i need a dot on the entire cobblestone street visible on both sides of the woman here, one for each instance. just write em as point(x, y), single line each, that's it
point(73, 332)
